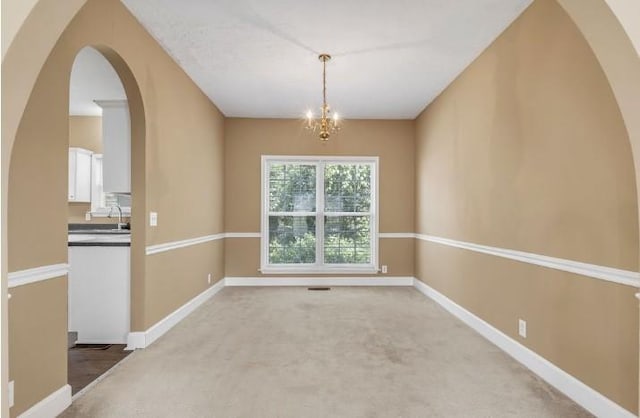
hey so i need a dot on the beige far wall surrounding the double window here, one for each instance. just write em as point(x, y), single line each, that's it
point(246, 140)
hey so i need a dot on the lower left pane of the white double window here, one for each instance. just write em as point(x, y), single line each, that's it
point(292, 239)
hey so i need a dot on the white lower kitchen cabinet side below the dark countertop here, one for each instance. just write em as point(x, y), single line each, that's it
point(99, 294)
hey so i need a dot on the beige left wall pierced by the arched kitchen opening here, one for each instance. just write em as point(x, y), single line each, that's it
point(177, 151)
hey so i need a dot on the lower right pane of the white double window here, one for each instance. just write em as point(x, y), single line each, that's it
point(347, 240)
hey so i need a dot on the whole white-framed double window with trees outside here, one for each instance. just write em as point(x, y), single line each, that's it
point(319, 214)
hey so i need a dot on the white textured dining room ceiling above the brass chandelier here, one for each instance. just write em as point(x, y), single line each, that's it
point(257, 58)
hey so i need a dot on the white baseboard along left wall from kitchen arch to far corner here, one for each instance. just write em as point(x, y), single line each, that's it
point(146, 338)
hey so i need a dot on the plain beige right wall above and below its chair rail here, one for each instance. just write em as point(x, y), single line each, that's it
point(527, 150)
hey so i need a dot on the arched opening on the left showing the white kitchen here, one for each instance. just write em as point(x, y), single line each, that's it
point(99, 214)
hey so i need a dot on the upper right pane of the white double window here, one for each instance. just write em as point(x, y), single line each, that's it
point(347, 187)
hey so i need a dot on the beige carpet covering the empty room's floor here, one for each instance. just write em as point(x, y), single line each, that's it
point(347, 352)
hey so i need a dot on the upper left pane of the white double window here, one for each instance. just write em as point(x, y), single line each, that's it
point(292, 188)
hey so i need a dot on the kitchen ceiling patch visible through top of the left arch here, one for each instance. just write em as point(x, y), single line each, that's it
point(92, 78)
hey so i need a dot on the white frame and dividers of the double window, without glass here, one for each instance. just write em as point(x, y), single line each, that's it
point(318, 267)
